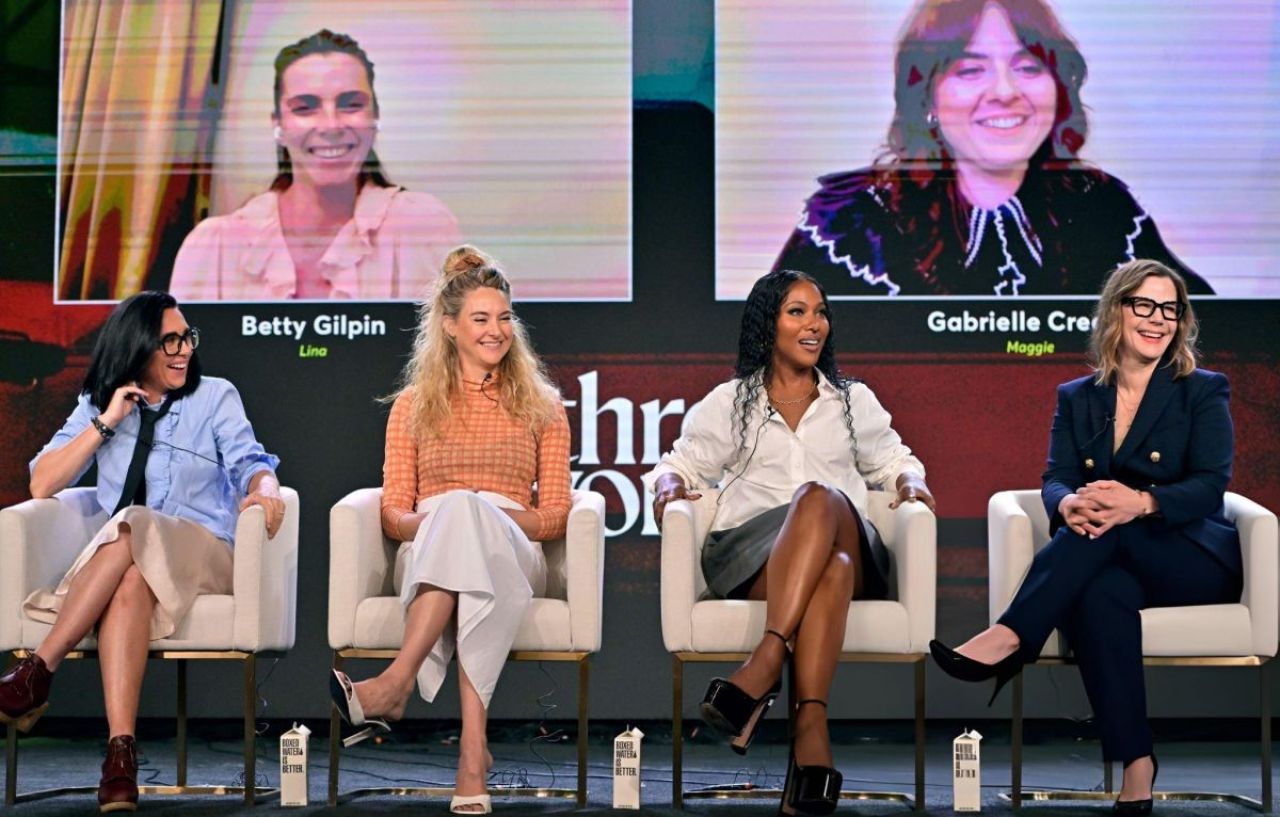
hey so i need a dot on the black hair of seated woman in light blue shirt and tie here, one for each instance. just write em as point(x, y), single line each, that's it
point(125, 346)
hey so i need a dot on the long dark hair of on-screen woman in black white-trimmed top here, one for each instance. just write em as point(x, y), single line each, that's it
point(916, 167)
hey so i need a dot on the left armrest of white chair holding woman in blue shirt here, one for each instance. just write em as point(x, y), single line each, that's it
point(39, 541)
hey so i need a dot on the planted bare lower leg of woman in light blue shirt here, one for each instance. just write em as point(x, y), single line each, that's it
point(124, 641)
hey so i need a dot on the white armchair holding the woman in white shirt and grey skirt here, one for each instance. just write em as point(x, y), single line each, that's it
point(897, 631)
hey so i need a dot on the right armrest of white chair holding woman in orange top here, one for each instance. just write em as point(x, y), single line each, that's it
point(584, 559)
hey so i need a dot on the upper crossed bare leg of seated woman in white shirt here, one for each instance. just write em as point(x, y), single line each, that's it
point(820, 519)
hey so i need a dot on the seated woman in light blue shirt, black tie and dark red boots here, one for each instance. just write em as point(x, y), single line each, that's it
point(177, 462)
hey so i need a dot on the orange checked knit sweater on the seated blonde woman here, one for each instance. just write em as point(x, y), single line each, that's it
point(483, 450)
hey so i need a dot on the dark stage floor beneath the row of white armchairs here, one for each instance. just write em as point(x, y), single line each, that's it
point(871, 757)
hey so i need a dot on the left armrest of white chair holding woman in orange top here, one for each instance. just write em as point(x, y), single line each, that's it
point(360, 560)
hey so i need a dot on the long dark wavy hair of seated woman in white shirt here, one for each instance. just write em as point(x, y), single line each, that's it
point(756, 341)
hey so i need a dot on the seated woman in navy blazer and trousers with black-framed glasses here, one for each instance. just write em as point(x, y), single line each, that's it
point(1140, 458)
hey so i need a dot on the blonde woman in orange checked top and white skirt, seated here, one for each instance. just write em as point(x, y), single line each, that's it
point(477, 425)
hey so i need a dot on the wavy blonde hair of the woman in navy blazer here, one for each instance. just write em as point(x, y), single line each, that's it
point(1109, 328)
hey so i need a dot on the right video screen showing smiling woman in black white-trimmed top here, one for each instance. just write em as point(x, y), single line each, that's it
point(1148, 129)
